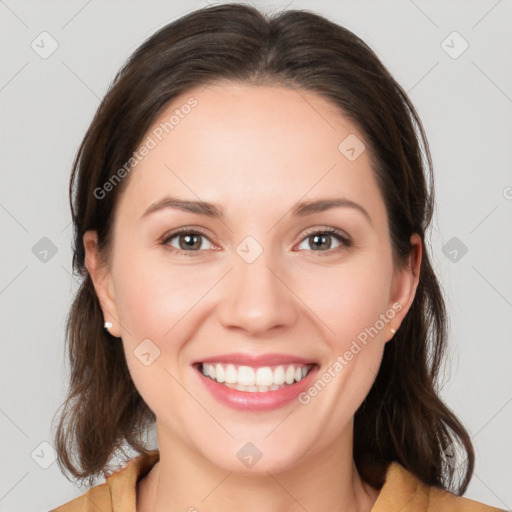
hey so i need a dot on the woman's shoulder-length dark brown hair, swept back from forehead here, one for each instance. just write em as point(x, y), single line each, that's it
point(402, 418)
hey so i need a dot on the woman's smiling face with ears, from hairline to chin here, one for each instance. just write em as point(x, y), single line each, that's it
point(262, 283)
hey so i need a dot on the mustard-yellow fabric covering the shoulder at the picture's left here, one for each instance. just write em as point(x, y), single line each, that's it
point(118, 492)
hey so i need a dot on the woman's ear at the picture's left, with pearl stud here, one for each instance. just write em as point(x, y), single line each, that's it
point(102, 280)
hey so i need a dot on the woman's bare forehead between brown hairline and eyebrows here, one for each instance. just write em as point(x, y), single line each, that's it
point(241, 145)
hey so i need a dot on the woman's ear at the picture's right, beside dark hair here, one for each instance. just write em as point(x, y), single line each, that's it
point(405, 282)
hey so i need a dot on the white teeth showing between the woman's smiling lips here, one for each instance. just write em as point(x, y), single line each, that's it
point(255, 380)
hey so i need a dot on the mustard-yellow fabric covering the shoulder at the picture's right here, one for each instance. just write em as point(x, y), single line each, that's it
point(404, 491)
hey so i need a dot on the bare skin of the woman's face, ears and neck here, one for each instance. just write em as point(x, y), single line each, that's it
point(255, 151)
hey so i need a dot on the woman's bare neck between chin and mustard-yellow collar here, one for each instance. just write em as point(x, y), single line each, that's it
point(182, 480)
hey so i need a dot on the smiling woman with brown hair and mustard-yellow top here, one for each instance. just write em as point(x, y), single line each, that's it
point(250, 205)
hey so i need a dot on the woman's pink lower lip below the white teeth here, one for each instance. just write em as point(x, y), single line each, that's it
point(257, 401)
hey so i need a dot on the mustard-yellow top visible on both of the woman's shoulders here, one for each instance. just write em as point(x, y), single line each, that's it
point(402, 491)
